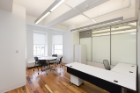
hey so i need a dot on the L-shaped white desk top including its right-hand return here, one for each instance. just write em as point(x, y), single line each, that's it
point(120, 75)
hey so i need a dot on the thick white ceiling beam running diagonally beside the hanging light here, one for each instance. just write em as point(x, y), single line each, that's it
point(71, 13)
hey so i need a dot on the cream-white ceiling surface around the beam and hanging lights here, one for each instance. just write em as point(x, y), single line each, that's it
point(37, 7)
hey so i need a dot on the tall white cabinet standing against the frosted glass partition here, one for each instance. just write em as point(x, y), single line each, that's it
point(80, 53)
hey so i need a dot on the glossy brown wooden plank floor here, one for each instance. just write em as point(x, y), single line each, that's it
point(56, 81)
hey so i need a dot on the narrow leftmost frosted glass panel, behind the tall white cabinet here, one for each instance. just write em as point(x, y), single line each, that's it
point(87, 42)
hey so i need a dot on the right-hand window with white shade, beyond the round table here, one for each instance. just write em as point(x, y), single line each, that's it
point(58, 44)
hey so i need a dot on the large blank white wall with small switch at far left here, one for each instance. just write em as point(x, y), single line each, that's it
point(12, 38)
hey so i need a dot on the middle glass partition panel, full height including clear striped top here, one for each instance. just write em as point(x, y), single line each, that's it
point(101, 44)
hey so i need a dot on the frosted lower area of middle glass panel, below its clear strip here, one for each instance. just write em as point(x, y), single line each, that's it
point(101, 48)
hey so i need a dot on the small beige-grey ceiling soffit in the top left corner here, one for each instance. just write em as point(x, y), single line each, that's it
point(6, 5)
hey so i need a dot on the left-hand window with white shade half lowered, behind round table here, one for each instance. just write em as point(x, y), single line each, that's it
point(39, 44)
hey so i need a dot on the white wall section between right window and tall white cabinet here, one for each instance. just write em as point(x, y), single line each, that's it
point(70, 39)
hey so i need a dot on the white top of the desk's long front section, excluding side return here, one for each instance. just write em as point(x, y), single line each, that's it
point(127, 80)
